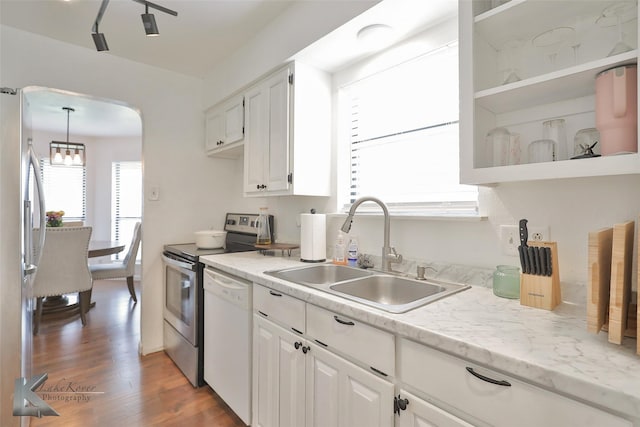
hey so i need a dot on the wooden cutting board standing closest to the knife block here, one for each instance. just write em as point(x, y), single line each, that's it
point(599, 259)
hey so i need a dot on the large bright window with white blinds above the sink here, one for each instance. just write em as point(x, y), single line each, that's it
point(404, 137)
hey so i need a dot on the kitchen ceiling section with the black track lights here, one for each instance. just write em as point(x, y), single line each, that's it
point(191, 43)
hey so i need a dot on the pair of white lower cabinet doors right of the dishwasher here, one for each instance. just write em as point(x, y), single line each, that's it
point(297, 383)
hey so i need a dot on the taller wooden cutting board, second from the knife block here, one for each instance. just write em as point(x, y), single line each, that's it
point(621, 263)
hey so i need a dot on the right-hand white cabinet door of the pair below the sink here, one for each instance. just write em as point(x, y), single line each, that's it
point(342, 394)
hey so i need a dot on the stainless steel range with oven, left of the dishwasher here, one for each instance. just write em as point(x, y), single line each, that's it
point(184, 293)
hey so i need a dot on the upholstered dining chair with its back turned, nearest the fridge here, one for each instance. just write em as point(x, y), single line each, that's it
point(63, 268)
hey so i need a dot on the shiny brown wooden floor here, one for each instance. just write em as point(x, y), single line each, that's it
point(97, 378)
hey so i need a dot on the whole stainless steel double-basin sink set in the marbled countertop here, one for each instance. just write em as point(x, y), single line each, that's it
point(394, 294)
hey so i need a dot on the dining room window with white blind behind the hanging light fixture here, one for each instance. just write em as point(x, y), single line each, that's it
point(65, 189)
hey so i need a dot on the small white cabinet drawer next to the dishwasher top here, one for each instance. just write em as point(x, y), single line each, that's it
point(279, 307)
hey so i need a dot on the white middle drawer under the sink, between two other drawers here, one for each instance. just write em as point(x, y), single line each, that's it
point(364, 343)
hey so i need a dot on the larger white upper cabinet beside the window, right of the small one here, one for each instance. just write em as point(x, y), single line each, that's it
point(287, 139)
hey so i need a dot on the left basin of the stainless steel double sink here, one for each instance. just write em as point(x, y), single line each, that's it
point(319, 274)
